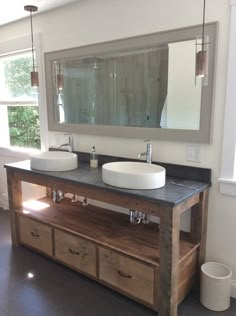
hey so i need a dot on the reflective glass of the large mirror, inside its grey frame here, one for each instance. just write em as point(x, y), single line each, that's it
point(145, 88)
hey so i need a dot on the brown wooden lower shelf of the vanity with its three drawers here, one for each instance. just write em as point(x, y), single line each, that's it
point(104, 245)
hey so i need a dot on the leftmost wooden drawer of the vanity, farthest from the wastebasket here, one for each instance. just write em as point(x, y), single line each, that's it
point(35, 234)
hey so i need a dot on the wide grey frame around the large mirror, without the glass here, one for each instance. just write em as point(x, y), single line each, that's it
point(203, 135)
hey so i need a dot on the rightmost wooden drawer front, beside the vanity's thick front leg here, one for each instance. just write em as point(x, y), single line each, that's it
point(127, 274)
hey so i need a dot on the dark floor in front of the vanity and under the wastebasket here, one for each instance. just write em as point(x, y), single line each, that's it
point(58, 291)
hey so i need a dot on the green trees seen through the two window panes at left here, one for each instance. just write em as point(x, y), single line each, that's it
point(24, 125)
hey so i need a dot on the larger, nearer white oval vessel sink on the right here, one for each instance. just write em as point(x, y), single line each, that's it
point(133, 175)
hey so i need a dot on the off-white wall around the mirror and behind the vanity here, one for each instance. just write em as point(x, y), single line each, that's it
point(93, 21)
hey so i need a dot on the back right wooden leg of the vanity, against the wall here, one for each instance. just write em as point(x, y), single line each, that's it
point(198, 232)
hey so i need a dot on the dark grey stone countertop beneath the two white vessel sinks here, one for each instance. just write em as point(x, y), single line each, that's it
point(175, 191)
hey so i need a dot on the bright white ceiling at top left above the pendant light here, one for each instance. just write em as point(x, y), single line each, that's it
point(12, 10)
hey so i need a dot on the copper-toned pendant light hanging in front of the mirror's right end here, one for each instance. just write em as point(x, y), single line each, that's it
point(202, 56)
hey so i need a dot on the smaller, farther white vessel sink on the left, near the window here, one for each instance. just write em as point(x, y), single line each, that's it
point(54, 161)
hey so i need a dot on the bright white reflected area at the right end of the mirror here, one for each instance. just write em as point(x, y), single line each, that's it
point(183, 105)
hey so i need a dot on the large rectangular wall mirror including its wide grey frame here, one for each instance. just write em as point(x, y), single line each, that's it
point(141, 87)
